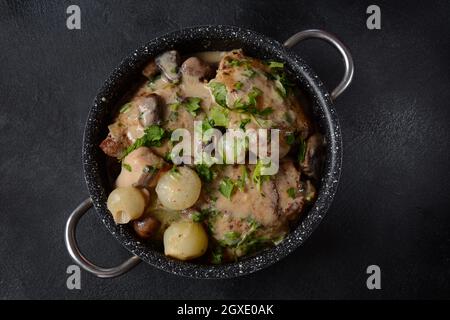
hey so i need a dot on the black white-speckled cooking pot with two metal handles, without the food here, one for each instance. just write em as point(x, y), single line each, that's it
point(192, 40)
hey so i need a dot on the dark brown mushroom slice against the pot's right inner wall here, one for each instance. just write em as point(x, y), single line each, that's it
point(312, 162)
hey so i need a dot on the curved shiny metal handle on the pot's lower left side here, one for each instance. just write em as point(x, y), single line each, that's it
point(77, 256)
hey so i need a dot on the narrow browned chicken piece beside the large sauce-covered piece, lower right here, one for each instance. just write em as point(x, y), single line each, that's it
point(288, 184)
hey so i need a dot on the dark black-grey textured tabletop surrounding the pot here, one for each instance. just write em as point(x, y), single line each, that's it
point(392, 206)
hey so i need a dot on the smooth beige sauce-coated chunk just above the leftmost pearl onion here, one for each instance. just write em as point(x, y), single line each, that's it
point(139, 168)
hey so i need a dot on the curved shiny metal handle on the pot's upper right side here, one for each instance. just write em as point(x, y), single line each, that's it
point(332, 39)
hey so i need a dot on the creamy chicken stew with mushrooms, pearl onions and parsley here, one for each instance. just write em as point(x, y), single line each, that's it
point(212, 212)
